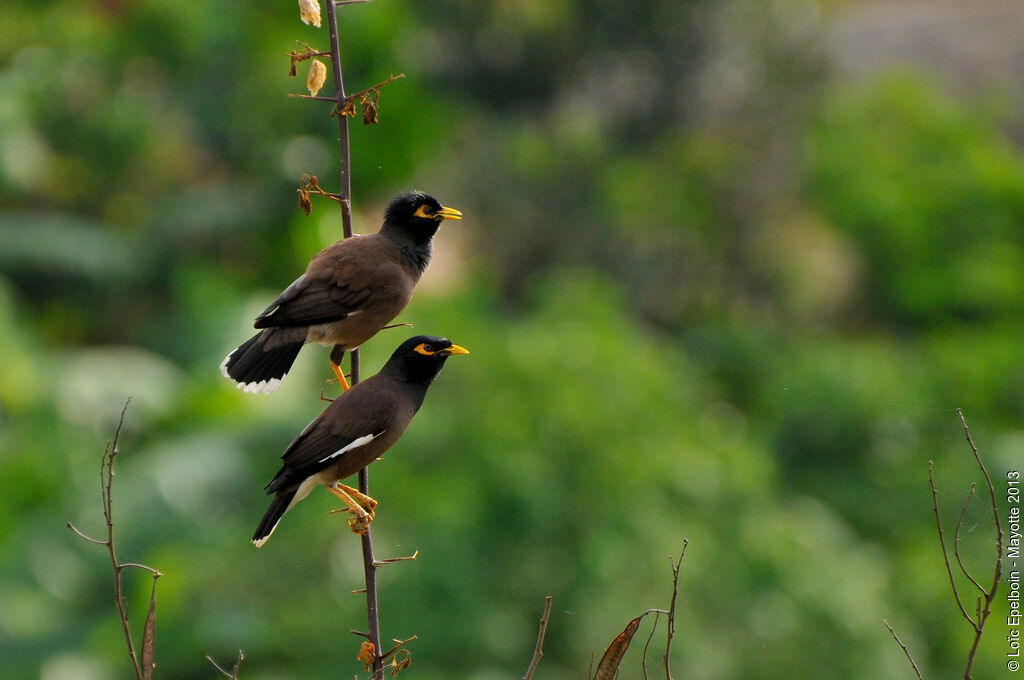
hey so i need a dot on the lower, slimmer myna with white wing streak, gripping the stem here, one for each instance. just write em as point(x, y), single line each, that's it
point(354, 432)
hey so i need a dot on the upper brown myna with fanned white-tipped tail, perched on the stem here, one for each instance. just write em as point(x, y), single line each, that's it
point(350, 291)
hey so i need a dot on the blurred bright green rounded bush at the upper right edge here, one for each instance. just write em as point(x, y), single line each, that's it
point(932, 193)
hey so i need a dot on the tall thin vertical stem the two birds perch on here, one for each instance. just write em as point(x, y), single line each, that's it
point(346, 201)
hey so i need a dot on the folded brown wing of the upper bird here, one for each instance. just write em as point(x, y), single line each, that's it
point(340, 281)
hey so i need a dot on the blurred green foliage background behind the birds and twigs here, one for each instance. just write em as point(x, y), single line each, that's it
point(727, 272)
